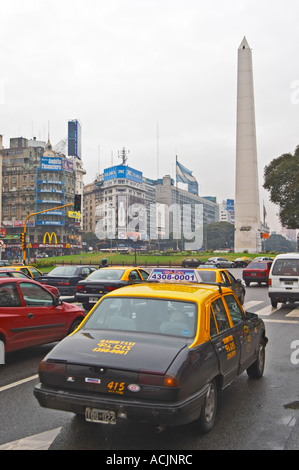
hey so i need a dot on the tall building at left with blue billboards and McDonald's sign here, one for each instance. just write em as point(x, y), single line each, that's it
point(34, 179)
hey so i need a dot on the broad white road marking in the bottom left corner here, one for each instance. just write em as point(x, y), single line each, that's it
point(40, 441)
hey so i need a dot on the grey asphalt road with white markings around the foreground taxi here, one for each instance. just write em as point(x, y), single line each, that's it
point(252, 414)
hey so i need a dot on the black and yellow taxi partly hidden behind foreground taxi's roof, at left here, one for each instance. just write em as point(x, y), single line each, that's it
point(106, 280)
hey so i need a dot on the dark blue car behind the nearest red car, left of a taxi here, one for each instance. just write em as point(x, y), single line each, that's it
point(66, 278)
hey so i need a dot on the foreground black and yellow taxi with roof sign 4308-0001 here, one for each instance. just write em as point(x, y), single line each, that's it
point(157, 352)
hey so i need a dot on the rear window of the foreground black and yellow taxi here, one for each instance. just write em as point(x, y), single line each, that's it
point(144, 315)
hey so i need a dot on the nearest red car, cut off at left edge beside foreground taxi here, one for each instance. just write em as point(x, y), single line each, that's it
point(30, 315)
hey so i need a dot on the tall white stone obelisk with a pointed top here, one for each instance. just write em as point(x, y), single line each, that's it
point(247, 206)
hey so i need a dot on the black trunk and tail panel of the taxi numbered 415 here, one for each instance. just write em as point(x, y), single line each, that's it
point(114, 365)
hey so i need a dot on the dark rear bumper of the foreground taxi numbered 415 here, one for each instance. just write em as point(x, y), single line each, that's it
point(160, 414)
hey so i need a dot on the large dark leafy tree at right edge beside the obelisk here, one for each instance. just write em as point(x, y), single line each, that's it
point(282, 181)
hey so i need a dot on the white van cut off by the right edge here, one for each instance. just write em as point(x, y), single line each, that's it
point(284, 279)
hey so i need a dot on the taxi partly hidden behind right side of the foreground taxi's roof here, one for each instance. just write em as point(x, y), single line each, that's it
point(209, 273)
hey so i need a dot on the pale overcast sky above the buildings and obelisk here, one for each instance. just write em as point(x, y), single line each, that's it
point(158, 77)
